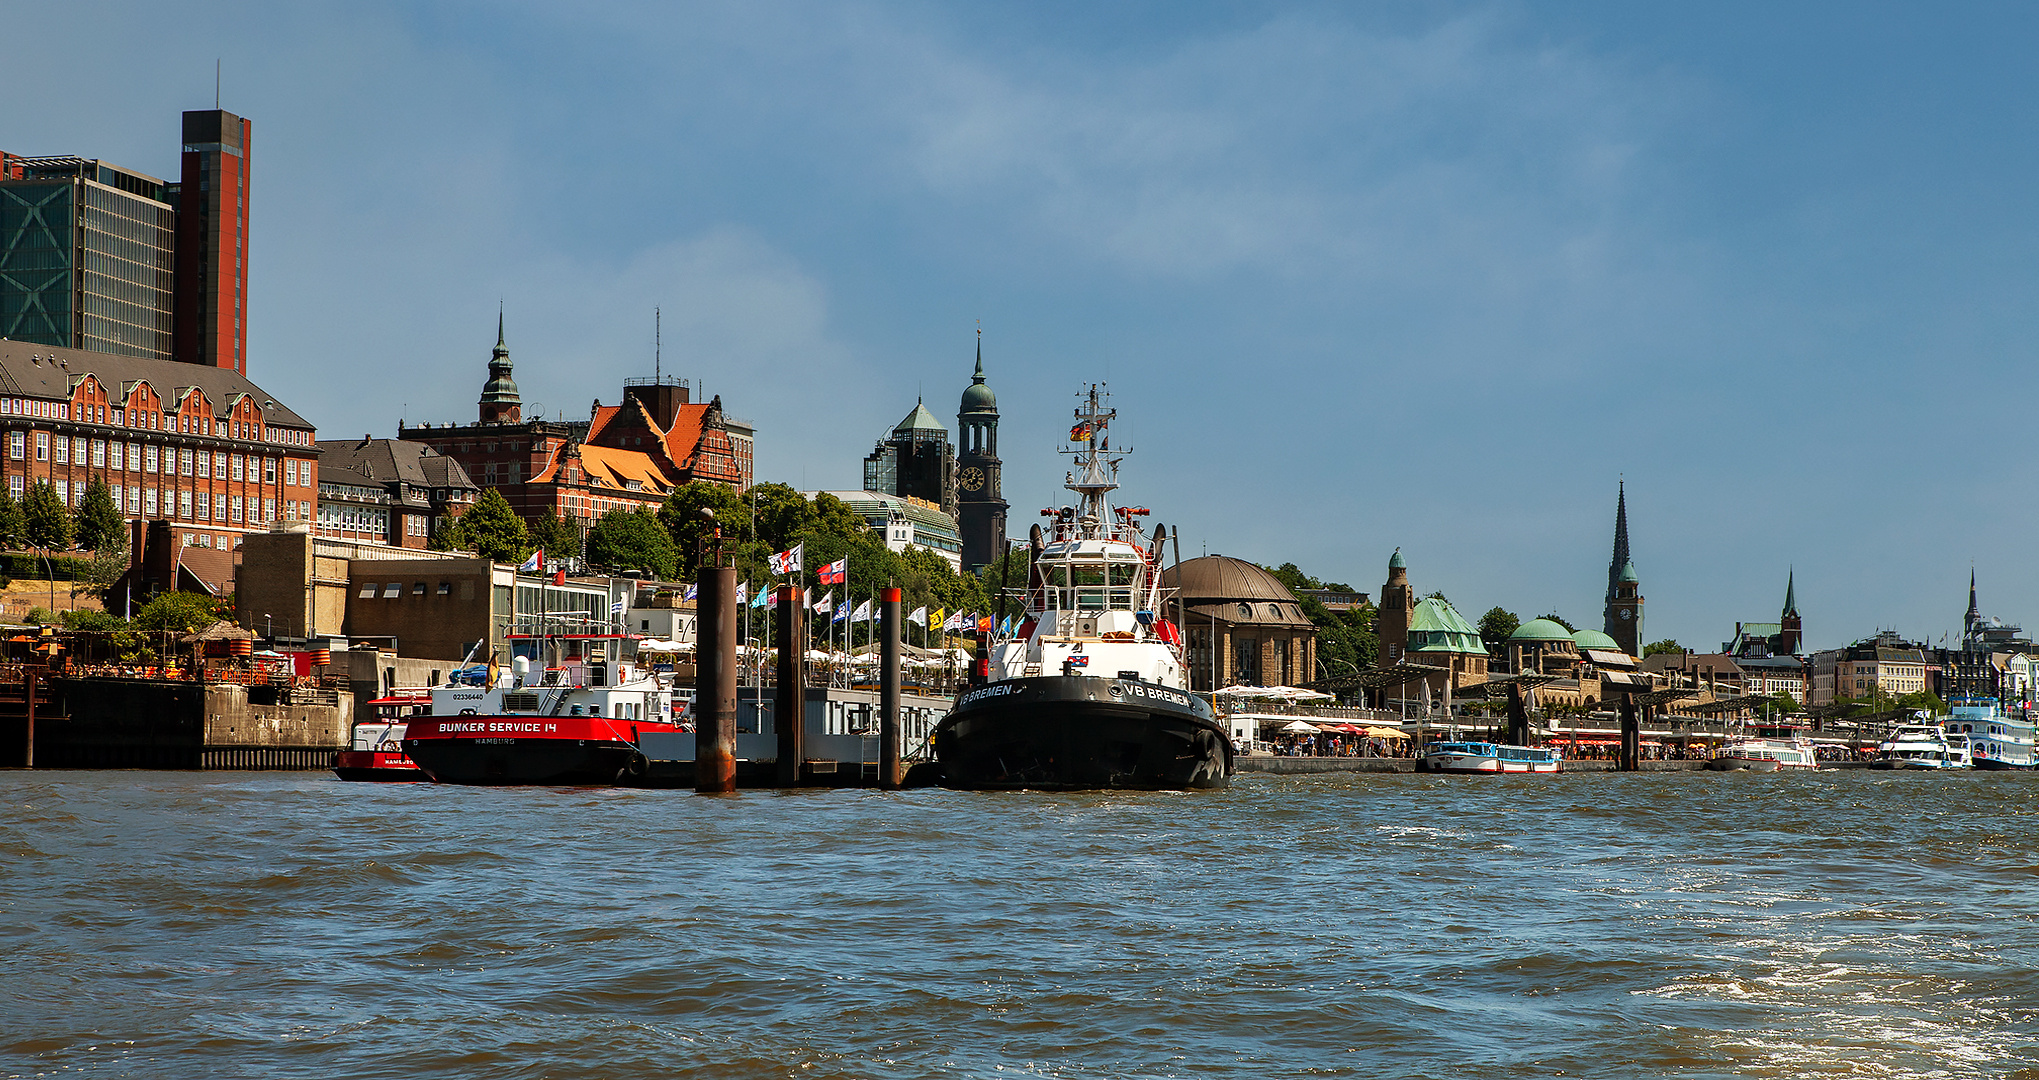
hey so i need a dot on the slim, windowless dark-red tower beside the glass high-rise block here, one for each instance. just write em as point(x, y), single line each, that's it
point(213, 241)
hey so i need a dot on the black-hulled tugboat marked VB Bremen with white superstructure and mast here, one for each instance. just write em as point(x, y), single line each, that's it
point(1090, 692)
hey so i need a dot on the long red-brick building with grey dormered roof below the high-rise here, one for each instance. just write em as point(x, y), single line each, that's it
point(195, 445)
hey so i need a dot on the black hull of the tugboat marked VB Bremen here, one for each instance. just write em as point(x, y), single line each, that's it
point(1082, 735)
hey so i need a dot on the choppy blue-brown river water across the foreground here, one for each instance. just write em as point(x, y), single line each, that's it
point(293, 926)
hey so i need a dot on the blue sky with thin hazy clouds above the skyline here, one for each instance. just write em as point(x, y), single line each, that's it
point(1416, 276)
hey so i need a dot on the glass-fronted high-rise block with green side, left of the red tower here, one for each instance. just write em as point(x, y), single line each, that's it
point(87, 256)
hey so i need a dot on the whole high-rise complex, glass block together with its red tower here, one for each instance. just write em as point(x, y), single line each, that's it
point(111, 260)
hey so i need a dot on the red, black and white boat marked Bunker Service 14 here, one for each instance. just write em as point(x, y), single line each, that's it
point(572, 724)
